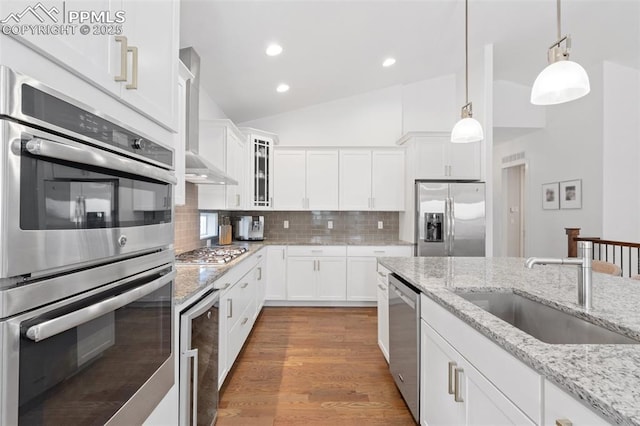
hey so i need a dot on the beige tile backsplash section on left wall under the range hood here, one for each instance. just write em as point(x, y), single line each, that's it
point(187, 222)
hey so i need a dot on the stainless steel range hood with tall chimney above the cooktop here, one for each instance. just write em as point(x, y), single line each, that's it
point(197, 169)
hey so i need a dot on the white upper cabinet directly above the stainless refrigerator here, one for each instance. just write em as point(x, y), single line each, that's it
point(434, 156)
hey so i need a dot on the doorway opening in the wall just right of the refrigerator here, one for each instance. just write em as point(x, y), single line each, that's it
point(513, 178)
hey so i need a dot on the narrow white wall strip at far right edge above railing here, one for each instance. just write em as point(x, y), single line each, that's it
point(621, 153)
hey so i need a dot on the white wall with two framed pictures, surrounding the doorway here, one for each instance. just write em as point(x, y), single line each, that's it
point(570, 147)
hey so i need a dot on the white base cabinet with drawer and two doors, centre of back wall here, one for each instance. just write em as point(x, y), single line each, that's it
point(316, 273)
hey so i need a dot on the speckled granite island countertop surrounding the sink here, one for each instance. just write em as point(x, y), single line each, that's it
point(607, 377)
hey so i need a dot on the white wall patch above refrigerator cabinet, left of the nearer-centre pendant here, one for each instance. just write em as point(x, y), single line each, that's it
point(430, 105)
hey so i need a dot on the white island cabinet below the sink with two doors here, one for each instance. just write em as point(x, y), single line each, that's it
point(494, 386)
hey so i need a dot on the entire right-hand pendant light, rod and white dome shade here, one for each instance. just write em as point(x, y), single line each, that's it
point(562, 80)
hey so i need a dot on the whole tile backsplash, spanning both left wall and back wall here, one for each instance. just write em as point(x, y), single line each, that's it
point(304, 226)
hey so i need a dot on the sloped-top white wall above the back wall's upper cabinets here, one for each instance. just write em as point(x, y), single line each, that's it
point(369, 119)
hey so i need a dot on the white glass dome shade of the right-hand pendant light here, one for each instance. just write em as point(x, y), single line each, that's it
point(560, 82)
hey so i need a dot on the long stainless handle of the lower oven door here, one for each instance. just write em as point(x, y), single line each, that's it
point(50, 328)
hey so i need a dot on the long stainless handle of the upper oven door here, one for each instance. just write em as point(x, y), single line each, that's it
point(79, 153)
